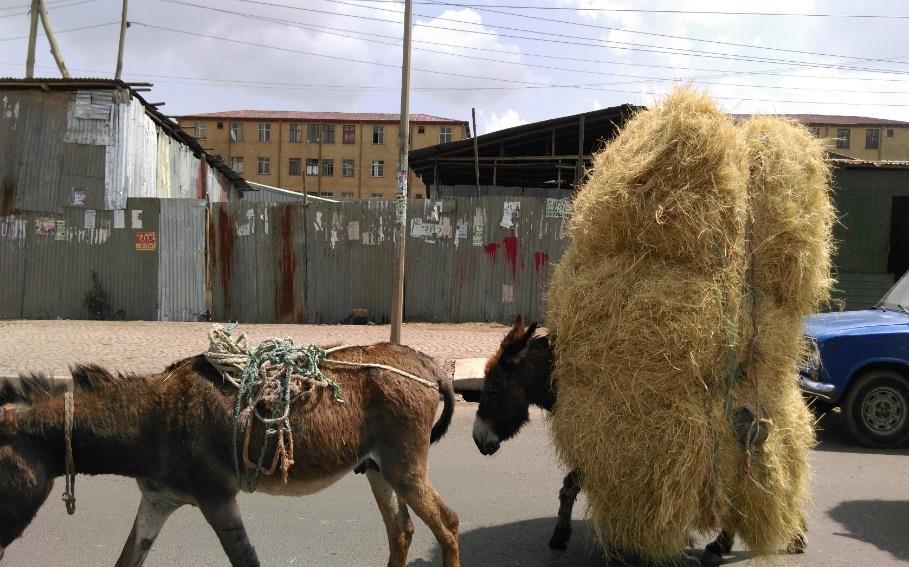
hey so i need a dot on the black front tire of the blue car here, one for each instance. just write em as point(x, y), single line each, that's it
point(877, 409)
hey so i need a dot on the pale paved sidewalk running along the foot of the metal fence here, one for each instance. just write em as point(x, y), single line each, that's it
point(148, 346)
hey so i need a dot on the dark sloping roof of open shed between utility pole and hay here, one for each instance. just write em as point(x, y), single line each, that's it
point(541, 154)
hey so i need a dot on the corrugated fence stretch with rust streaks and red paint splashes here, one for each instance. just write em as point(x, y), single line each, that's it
point(468, 259)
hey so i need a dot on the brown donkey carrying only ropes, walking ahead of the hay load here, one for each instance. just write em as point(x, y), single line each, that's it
point(173, 433)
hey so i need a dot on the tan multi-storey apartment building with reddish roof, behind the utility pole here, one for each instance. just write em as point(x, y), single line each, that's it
point(342, 155)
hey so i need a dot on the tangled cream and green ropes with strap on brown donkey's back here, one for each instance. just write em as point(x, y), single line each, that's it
point(274, 375)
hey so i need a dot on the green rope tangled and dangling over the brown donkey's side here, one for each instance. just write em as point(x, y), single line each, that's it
point(295, 361)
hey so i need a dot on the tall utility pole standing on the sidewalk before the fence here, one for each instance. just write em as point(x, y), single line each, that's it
point(397, 300)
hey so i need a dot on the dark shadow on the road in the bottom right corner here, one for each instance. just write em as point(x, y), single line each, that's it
point(882, 523)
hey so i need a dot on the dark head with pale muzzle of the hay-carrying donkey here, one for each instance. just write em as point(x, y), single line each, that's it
point(512, 377)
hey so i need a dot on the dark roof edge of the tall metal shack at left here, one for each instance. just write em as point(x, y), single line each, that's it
point(170, 127)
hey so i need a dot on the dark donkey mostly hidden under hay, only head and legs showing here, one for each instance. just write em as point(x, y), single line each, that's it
point(520, 374)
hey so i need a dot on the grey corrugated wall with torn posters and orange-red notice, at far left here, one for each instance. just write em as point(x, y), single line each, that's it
point(149, 260)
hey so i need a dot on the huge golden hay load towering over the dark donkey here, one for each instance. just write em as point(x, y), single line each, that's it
point(654, 315)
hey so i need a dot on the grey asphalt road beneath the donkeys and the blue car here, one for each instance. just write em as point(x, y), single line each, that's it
point(507, 503)
